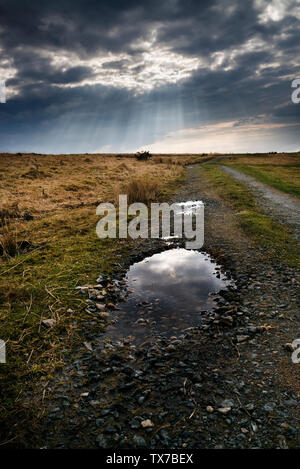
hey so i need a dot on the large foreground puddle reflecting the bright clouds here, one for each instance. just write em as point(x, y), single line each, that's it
point(167, 293)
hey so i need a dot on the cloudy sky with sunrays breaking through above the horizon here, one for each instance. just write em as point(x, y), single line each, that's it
point(171, 76)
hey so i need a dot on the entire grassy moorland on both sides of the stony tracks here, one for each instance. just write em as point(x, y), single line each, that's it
point(48, 245)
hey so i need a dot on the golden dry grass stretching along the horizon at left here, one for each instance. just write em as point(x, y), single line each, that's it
point(40, 185)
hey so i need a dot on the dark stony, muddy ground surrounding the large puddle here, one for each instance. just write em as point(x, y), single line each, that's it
point(229, 383)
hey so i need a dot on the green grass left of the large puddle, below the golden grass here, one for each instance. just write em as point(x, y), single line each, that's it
point(41, 285)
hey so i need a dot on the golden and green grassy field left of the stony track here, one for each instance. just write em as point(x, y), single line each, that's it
point(48, 245)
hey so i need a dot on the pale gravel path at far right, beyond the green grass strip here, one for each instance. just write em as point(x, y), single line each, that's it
point(283, 207)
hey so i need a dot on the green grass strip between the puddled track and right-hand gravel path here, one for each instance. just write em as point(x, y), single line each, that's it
point(266, 232)
